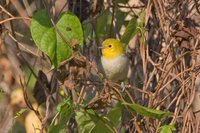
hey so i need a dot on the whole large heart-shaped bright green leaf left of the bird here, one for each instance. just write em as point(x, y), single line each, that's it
point(56, 41)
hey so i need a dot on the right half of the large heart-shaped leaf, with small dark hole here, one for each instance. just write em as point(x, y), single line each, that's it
point(70, 28)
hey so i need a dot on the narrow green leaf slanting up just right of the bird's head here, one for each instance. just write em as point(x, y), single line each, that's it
point(130, 31)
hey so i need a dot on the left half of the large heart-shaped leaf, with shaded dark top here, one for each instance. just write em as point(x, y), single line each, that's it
point(40, 28)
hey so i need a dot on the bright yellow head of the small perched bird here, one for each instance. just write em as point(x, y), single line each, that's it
point(112, 48)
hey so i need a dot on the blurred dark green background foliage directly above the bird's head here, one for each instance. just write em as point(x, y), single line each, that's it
point(103, 25)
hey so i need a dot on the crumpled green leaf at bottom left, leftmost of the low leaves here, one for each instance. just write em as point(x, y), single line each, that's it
point(66, 111)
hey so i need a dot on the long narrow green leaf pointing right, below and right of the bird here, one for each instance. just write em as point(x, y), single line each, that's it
point(144, 111)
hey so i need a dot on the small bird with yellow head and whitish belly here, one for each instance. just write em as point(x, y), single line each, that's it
point(114, 61)
